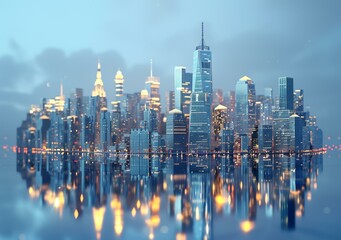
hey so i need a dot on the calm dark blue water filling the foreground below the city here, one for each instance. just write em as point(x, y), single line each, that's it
point(56, 197)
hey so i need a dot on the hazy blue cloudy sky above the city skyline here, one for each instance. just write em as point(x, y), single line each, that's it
point(44, 43)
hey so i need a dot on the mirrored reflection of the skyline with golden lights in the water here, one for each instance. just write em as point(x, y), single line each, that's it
point(172, 201)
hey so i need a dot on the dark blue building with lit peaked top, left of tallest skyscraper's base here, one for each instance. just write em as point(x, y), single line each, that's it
point(176, 132)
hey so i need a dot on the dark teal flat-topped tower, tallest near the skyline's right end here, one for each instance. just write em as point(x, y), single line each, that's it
point(286, 91)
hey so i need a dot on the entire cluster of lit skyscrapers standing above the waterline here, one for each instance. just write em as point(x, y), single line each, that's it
point(198, 120)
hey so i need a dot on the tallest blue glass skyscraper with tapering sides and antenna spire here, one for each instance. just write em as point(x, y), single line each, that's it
point(201, 99)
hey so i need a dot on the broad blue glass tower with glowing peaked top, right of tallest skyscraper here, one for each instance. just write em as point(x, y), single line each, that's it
point(245, 106)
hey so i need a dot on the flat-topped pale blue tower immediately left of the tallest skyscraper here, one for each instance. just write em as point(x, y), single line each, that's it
point(182, 90)
